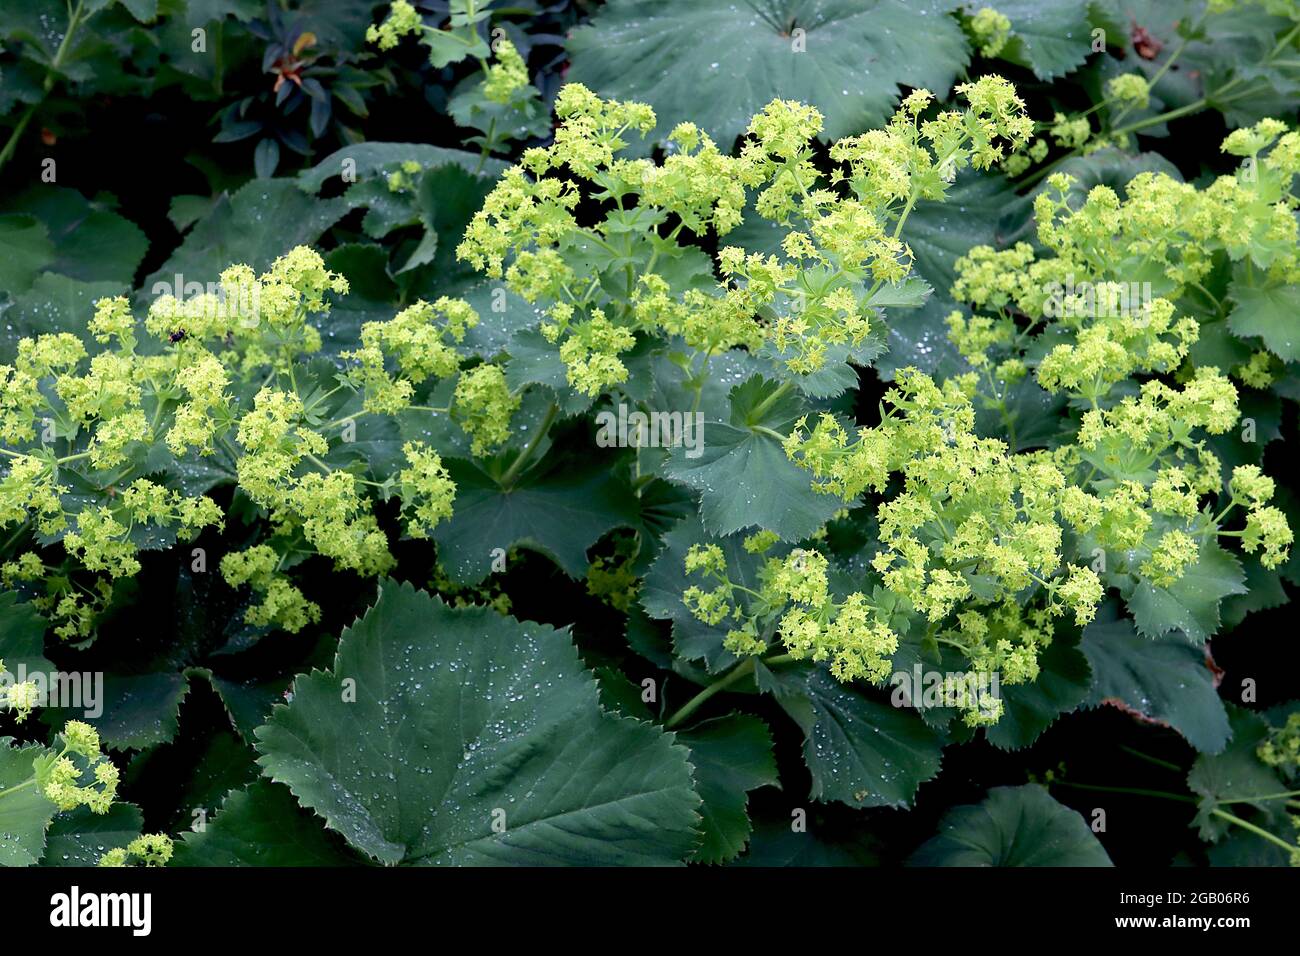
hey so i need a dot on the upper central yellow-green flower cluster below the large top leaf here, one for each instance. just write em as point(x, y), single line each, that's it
point(603, 279)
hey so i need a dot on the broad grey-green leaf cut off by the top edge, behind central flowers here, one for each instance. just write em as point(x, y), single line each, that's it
point(850, 60)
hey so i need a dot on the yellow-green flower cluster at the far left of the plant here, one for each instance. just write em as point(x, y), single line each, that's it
point(99, 439)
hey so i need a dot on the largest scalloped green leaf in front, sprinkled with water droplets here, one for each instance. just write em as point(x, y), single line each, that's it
point(476, 739)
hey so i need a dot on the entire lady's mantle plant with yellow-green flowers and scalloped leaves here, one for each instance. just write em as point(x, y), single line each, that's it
point(660, 462)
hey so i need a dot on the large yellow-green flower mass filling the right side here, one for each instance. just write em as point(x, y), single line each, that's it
point(991, 544)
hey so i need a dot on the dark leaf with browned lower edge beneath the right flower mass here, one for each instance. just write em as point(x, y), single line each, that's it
point(1162, 680)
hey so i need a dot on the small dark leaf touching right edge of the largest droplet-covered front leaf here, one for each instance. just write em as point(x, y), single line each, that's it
point(733, 756)
